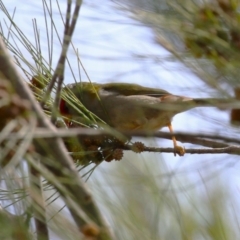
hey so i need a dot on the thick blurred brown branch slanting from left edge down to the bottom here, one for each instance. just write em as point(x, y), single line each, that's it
point(54, 148)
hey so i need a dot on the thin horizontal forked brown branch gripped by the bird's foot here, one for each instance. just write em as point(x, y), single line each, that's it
point(215, 146)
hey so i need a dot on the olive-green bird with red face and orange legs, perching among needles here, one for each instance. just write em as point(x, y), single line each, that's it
point(128, 107)
